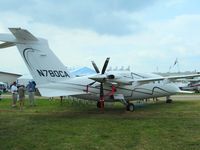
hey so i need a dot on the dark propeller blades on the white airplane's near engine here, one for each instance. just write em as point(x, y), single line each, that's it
point(101, 85)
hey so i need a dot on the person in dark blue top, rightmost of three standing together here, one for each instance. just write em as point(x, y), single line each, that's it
point(31, 92)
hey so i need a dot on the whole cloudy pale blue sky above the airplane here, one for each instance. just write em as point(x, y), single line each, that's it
point(142, 34)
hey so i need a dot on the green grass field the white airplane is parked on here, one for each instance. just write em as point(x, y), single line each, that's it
point(51, 125)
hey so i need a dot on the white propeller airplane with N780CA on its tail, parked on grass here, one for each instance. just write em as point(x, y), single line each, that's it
point(53, 79)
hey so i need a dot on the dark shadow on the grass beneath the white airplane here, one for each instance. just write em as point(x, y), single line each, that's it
point(142, 110)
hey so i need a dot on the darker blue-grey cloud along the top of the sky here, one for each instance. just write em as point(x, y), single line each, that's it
point(104, 17)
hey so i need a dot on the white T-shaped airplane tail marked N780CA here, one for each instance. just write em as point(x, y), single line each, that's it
point(42, 63)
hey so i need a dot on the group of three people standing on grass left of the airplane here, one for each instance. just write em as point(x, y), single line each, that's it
point(18, 93)
